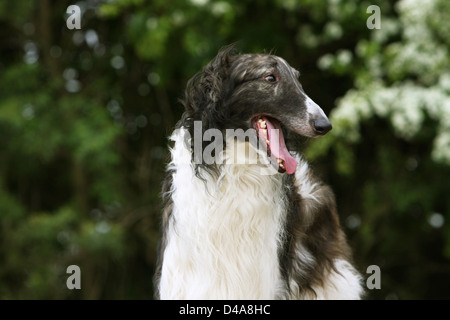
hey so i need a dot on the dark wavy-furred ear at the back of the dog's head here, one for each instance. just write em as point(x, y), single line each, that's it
point(204, 91)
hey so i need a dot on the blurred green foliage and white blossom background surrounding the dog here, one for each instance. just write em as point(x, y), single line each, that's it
point(84, 116)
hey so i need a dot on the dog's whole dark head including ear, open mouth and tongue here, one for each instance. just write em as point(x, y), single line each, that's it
point(259, 91)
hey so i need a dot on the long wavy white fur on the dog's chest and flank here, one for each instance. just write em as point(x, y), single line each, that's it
point(223, 238)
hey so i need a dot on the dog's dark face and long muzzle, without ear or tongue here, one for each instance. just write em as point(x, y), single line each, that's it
point(265, 85)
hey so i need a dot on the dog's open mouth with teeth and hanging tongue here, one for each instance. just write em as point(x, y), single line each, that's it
point(270, 134)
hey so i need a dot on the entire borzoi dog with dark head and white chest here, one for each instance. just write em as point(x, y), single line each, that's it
point(244, 217)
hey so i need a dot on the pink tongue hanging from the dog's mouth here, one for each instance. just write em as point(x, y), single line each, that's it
point(278, 147)
